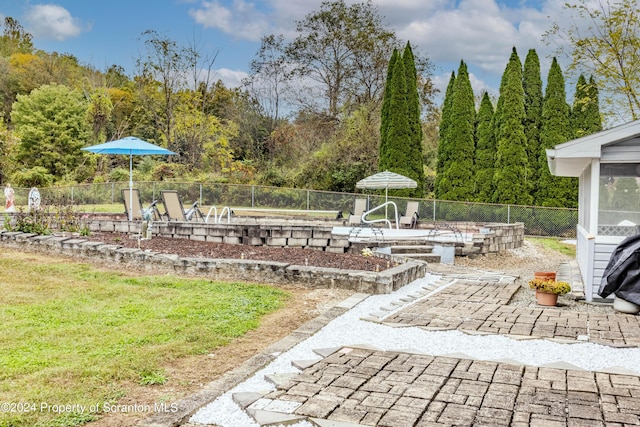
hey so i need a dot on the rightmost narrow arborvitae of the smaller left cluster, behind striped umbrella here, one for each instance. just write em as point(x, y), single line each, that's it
point(415, 126)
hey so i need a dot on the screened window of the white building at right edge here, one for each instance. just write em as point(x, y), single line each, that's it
point(619, 199)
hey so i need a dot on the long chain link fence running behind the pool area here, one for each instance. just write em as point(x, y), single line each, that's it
point(538, 221)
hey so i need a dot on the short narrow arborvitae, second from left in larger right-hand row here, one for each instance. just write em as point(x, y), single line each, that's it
point(485, 150)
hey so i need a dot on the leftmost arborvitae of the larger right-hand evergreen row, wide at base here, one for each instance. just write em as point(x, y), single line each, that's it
point(457, 181)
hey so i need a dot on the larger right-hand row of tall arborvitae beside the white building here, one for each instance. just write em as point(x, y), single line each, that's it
point(499, 155)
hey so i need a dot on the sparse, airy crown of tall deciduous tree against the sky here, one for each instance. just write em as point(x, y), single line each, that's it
point(343, 50)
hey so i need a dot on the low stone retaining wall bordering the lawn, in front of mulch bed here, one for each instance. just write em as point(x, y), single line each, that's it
point(382, 282)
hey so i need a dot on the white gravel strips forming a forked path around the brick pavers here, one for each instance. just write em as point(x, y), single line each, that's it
point(349, 329)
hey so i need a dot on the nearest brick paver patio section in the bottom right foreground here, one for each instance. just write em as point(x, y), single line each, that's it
point(421, 390)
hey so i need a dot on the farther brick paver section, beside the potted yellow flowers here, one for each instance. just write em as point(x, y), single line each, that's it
point(482, 307)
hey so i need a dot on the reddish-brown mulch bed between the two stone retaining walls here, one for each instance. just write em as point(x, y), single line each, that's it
point(199, 249)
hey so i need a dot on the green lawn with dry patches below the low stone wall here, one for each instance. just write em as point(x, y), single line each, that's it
point(73, 334)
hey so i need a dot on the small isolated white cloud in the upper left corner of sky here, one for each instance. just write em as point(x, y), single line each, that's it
point(50, 21)
